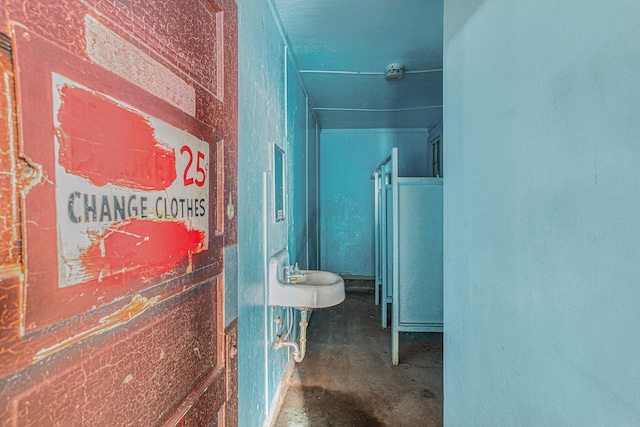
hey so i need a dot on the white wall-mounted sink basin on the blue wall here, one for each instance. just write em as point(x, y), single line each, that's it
point(315, 289)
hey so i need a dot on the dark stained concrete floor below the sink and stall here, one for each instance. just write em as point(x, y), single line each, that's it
point(347, 379)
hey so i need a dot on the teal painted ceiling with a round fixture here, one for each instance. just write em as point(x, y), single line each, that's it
point(341, 48)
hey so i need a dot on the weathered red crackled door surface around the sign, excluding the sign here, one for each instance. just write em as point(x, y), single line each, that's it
point(151, 349)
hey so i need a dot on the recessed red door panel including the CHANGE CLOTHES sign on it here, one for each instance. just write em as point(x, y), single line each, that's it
point(121, 202)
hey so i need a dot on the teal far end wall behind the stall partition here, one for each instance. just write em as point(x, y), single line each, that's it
point(347, 160)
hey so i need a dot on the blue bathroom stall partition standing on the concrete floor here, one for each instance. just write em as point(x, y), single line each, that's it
point(408, 253)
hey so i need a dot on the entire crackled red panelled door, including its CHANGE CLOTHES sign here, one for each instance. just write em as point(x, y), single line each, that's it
point(86, 353)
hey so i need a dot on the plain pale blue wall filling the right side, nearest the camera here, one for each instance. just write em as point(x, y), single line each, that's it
point(542, 214)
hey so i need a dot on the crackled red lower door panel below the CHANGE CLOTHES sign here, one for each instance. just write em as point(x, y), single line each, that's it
point(86, 384)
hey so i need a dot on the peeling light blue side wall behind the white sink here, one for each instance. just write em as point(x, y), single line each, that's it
point(262, 122)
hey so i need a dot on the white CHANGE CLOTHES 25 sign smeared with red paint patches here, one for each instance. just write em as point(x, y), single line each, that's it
point(132, 191)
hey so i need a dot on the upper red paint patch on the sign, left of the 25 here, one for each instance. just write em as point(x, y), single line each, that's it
point(107, 143)
